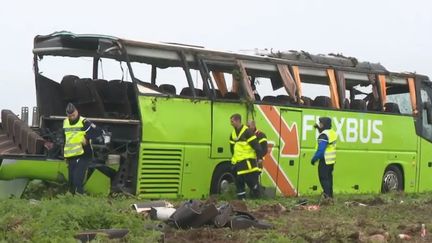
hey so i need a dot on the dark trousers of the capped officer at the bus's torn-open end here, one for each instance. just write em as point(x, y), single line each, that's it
point(77, 169)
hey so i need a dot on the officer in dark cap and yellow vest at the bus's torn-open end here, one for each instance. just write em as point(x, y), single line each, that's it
point(78, 152)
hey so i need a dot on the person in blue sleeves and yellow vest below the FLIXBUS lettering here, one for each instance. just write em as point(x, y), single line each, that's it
point(326, 155)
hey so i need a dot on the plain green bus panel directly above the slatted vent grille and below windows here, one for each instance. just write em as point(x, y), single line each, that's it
point(175, 120)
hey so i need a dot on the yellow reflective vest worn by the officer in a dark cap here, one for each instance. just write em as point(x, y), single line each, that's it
point(73, 138)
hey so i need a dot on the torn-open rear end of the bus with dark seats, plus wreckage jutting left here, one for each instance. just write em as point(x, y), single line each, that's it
point(110, 102)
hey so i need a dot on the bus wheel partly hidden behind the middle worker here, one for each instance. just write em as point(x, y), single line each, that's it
point(222, 178)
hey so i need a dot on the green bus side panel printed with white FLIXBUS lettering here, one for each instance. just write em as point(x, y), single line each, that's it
point(363, 131)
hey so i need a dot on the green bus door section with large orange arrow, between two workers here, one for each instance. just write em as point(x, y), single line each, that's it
point(281, 164)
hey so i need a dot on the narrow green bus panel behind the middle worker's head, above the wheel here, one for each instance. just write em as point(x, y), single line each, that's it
point(221, 127)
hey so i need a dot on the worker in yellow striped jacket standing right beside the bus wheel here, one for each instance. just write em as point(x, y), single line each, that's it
point(245, 151)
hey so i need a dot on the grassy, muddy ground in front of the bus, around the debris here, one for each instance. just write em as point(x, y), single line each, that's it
point(47, 215)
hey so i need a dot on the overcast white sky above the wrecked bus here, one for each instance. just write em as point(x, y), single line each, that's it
point(396, 33)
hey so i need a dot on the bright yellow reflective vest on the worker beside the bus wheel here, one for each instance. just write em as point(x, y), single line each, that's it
point(242, 149)
